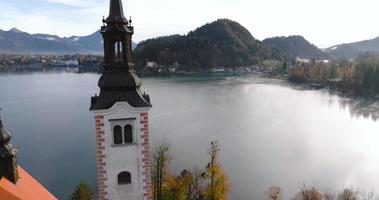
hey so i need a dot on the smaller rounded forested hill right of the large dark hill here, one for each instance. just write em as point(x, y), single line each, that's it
point(296, 46)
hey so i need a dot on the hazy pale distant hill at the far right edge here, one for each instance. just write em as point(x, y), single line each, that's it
point(353, 50)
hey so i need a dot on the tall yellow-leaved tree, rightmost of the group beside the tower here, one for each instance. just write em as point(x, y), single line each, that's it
point(217, 188)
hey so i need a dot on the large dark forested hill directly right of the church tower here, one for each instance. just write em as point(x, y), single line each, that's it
point(223, 43)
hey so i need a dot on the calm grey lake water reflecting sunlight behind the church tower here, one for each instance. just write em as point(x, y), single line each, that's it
point(271, 133)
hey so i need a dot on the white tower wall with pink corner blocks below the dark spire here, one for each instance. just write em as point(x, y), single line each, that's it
point(113, 159)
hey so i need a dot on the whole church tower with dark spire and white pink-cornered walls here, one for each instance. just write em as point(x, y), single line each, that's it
point(121, 116)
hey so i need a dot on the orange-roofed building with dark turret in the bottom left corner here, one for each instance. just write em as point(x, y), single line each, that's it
point(15, 182)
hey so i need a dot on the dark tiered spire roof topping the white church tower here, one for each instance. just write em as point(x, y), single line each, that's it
point(119, 82)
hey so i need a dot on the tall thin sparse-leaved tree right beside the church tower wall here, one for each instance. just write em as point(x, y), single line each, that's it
point(160, 162)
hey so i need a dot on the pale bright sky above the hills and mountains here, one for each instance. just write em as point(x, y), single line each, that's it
point(323, 22)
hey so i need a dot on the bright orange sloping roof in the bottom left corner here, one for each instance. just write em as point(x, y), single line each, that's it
point(26, 188)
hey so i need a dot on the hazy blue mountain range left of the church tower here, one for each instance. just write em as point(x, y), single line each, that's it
point(15, 41)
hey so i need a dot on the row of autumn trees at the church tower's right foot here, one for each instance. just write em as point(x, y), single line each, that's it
point(208, 184)
